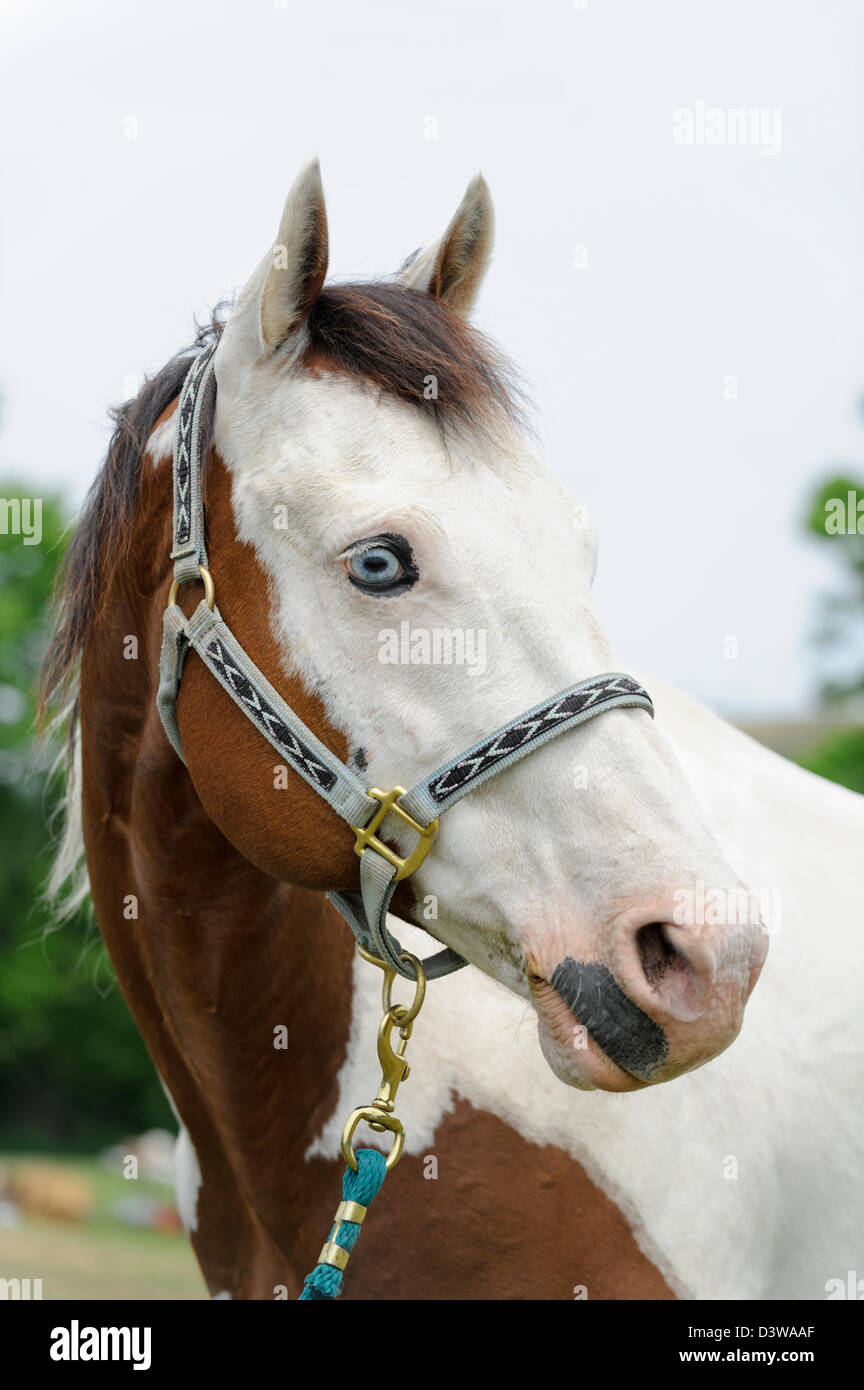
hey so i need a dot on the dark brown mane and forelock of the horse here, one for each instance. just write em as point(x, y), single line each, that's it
point(383, 333)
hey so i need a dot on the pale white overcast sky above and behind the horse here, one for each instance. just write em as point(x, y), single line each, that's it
point(702, 262)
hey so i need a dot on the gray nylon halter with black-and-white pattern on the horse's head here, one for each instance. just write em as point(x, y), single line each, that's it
point(249, 689)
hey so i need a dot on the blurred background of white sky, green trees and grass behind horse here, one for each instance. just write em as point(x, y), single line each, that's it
point(679, 275)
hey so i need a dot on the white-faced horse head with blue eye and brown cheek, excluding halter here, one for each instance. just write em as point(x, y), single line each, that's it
point(394, 553)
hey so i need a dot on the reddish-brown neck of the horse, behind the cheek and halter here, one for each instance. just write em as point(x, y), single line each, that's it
point(241, 985)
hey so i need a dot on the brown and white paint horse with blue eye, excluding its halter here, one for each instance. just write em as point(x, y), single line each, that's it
point(369, 471)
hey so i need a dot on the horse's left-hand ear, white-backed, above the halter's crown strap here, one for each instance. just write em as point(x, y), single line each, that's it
point(279, 297)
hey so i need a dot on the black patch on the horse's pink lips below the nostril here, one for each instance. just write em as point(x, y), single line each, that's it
point(619, 1027)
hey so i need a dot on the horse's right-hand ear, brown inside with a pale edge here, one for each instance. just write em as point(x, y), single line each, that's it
point(454, 268)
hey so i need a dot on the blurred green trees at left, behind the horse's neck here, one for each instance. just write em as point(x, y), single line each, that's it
point(73, 1068)
